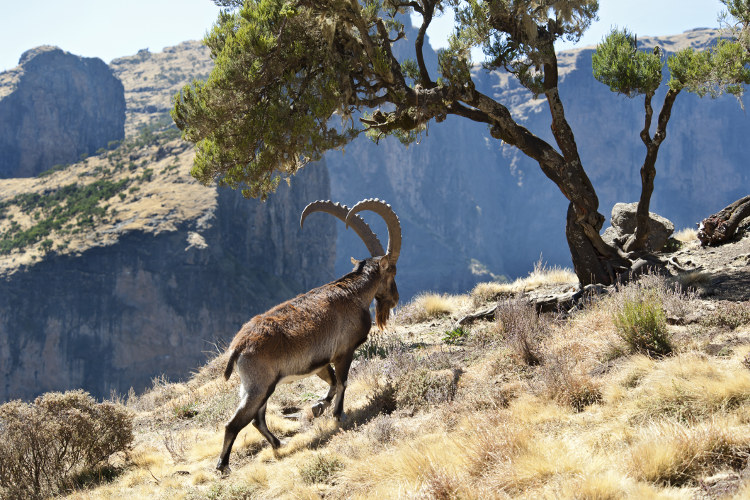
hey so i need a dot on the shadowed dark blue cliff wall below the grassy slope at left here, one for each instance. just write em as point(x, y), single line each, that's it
point(159, 297)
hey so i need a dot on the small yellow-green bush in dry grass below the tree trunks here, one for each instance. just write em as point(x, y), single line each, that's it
point(642, 324)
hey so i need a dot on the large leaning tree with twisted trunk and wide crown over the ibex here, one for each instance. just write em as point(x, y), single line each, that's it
point(284, 68)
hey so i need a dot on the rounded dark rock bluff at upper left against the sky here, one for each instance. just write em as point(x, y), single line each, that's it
point(55, 107)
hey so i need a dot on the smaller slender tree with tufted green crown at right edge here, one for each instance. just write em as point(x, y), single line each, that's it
point(620, 65)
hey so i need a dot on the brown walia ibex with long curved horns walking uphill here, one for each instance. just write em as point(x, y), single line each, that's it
point(320, 328)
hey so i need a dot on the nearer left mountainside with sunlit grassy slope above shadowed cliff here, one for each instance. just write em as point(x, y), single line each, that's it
point(121, 267)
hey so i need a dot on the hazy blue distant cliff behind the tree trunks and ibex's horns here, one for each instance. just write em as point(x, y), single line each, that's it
point(470, 204)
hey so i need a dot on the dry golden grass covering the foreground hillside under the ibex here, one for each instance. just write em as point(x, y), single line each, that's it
point(429, 419)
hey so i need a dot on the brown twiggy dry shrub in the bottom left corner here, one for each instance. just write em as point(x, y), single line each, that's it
point(50, 444)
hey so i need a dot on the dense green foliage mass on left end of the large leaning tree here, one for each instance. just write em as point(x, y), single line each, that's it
point(265, 111)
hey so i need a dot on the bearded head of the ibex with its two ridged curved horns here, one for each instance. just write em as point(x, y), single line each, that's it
point(386, 294)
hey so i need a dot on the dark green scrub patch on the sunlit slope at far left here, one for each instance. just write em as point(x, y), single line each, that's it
point(69, 203)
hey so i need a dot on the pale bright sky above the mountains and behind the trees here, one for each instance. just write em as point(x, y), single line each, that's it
point(110, 29)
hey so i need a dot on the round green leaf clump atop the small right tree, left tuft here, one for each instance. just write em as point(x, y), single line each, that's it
point(619, 64)
